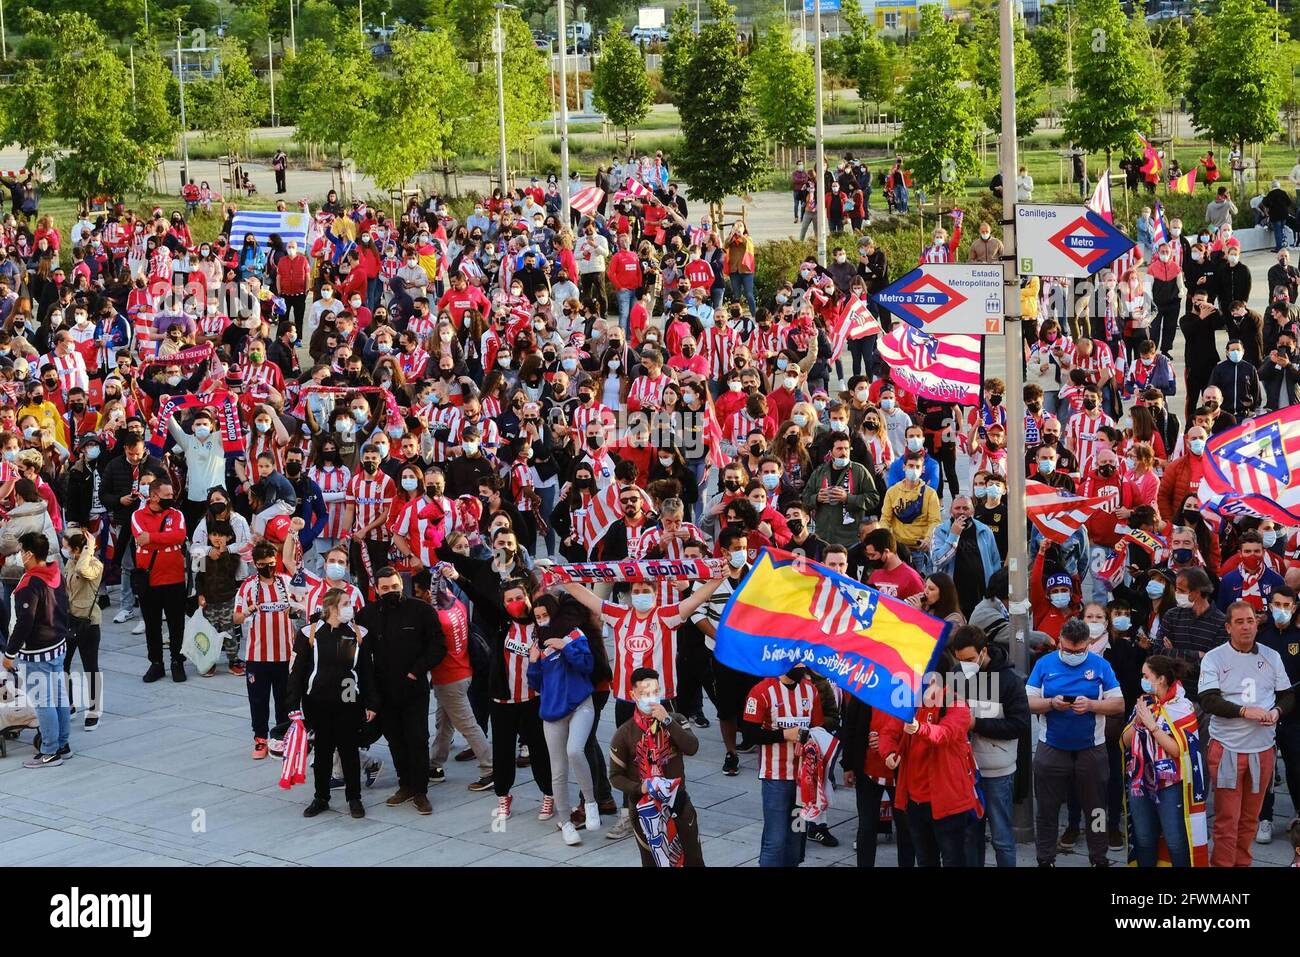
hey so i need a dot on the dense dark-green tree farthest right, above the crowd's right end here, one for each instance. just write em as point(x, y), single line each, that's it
point(1238, 79)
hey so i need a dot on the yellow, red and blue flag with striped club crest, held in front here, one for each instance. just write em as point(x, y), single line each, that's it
point(791, 612)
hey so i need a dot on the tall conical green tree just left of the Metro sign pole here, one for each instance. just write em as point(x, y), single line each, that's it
point(938, 111)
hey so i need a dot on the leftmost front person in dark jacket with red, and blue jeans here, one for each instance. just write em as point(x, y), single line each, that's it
point(40, 639)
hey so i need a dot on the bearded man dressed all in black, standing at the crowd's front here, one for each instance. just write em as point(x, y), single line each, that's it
point(406, 643)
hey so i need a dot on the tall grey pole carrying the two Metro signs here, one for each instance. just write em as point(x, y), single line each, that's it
point(1017, 532)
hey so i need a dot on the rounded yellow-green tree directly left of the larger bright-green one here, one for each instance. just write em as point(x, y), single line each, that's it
point(330, 93)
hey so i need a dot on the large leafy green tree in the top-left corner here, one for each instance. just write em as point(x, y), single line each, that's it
point(76, 107)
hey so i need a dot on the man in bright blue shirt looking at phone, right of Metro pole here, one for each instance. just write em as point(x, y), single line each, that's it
point(1074, 690)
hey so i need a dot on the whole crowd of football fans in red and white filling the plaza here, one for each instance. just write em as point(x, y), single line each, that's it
point(359, 457)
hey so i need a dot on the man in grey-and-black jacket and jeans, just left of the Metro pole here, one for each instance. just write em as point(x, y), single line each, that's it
point(1000, 738)
